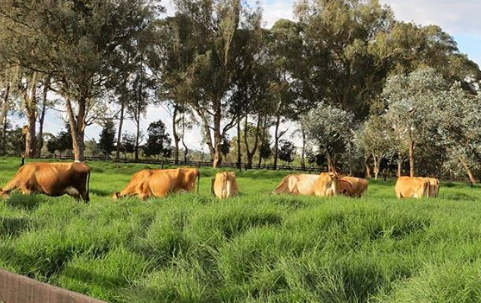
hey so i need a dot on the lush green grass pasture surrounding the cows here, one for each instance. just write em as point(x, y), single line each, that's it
point(254, 248)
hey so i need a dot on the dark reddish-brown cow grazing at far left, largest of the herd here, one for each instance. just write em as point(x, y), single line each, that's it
point(52, 179)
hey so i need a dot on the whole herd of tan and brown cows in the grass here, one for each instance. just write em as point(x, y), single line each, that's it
point(57, 179)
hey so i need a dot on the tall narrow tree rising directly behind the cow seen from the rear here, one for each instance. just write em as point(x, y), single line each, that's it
point(216, 25)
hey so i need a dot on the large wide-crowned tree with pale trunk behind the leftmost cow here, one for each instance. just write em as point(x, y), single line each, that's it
point(75, 43)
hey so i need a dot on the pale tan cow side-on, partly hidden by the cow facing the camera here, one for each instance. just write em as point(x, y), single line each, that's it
point(297, 184)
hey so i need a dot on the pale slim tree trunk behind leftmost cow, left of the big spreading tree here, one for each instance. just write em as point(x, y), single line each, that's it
point(31, 114)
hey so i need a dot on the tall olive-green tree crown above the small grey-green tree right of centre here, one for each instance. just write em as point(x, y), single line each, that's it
point(341, 70)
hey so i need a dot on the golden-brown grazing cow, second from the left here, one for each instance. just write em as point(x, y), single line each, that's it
point(159, 182)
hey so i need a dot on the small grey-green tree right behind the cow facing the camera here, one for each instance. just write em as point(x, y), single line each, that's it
point(331, 129)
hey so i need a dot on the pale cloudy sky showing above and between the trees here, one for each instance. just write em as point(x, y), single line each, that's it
point(459, 18)
